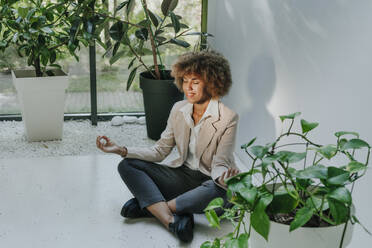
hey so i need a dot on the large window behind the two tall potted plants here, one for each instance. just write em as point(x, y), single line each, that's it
point(112, 95)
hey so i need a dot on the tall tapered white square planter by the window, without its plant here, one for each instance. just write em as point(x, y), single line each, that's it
point(42, 101)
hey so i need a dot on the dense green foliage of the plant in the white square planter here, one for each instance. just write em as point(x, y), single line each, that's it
point(44, 30)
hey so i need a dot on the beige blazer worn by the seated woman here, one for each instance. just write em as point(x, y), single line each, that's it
point(214, 145)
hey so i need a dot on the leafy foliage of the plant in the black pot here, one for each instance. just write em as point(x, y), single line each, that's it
point(146, 37)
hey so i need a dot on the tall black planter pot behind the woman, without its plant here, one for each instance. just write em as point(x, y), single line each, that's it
point(159, 96)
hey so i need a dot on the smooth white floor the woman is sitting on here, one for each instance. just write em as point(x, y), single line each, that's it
point(75, 201)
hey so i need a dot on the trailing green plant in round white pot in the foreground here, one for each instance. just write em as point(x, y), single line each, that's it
point(298, 196)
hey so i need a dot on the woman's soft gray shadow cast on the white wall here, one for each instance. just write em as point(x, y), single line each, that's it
point(257, 121)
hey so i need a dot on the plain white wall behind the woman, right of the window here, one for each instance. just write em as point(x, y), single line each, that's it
point(299, 55)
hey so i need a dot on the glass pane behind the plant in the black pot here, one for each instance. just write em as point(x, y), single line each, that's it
point(111, 79)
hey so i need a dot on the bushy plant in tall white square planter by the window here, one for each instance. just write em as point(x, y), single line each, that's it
point(42, 31)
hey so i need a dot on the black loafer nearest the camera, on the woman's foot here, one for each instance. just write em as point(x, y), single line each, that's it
point(182, 227)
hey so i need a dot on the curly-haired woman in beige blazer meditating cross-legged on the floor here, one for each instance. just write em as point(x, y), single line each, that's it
point(203, 130)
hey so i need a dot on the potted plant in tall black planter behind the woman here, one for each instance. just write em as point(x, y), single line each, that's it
point(145, 38)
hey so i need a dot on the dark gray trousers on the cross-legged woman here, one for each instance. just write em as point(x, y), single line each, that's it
point(151, 183)
